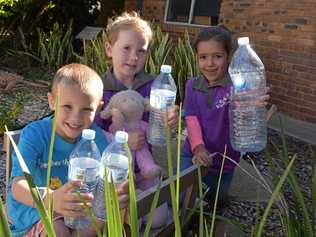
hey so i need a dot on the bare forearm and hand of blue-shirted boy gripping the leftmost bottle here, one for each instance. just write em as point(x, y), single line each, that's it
point(64, 202)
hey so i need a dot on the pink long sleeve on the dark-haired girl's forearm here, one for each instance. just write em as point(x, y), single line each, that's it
point(194, 131)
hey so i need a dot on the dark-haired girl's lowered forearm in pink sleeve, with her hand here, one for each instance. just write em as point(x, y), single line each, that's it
point(201, 155)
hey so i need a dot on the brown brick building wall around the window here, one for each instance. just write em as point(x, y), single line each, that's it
point(283, 33)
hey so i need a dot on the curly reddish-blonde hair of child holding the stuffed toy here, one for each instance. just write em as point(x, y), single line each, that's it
point(128, 21)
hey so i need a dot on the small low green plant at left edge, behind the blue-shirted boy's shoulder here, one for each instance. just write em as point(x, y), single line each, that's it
point(9, 113)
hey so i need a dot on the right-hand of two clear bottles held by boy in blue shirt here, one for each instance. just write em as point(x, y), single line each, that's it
point(116, 160)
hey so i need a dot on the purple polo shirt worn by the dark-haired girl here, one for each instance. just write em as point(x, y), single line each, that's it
point(209, 103)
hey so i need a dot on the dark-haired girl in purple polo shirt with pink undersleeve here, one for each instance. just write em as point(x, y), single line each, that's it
point(206, 111)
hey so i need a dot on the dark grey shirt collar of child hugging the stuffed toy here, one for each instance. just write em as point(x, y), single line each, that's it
point(110, 82)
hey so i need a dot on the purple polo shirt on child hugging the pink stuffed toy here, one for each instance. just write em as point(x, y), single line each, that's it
point(141, 84)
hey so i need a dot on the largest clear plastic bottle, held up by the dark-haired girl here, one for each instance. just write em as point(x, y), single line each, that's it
point(248, 127)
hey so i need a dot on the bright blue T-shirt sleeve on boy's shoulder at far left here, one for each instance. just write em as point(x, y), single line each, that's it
point(30, 147)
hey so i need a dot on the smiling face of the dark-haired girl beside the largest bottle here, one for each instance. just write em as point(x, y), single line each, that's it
point(212, 60)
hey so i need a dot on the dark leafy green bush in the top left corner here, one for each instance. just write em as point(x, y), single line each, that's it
point(28, 15)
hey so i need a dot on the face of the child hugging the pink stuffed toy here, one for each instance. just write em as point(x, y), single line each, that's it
point(128, 54)
